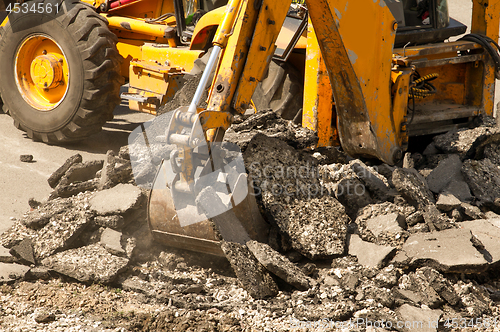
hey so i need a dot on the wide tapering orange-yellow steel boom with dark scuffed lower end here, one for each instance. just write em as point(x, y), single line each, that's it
point(359, 61)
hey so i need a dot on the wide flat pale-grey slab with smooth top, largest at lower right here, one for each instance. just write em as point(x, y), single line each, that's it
point(451, 250)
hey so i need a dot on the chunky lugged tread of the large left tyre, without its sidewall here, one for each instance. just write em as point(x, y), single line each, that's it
point(102, 79)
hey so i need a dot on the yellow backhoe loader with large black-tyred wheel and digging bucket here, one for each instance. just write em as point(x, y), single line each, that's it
point(374, 73)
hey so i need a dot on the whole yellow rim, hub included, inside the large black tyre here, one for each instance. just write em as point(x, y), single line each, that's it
point(41, 72)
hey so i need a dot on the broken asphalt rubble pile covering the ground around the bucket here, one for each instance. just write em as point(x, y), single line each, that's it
point(352, 244)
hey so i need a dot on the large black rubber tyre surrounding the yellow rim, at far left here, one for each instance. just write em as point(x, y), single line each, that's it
point(94, 71)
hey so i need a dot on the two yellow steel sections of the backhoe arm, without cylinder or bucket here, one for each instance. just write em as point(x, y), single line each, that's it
point(358, 58)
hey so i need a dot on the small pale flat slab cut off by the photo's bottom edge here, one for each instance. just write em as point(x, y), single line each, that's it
point(418, 319)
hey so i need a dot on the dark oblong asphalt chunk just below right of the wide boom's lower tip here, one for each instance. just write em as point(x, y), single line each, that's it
point(412, 187)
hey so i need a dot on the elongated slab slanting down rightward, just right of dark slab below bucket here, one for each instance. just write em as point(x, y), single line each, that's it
point(279, 265)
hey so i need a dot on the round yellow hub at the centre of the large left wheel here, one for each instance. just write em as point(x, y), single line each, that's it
point(46, 71)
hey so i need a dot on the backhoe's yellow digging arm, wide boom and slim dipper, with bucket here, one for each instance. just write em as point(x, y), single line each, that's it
point(243, 47)
